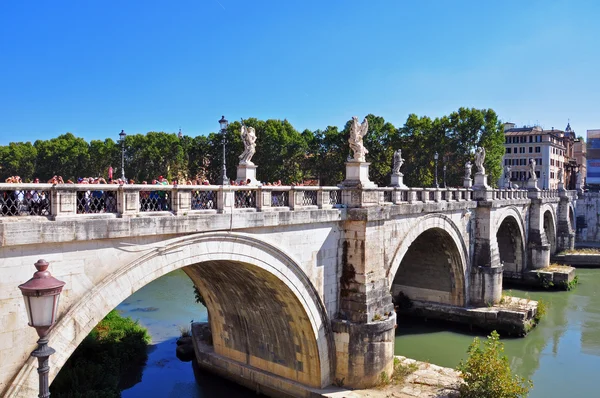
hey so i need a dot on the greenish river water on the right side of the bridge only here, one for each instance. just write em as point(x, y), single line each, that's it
point(561, 355)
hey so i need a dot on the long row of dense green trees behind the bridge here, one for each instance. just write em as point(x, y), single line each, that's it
point(282, 153)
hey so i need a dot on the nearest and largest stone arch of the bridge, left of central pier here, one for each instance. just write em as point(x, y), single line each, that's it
point(252, 258)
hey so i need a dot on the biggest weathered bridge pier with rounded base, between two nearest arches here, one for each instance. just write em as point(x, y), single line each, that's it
point(365, 329)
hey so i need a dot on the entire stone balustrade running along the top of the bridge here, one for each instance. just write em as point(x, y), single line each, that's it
point(124, 200)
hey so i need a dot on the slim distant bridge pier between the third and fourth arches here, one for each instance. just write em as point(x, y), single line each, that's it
point(538, 247)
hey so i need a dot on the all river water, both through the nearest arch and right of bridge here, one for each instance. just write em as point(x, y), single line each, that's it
point(561, 355)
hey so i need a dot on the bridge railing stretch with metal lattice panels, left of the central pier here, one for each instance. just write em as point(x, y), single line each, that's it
point(95, 199)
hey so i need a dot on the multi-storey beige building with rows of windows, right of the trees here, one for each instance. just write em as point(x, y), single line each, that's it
point(546, 147)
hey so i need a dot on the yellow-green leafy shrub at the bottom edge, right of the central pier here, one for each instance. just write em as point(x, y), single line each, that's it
point(487, 373)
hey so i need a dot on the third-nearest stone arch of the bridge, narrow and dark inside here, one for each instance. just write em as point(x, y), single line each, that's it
point(510, 236)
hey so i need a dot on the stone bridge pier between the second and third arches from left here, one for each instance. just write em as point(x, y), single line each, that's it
point(486, 276)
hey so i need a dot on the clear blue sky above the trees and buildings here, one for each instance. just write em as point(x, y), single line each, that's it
point(96, 67)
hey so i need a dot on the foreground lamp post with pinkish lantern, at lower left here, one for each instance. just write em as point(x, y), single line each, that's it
point(41, 294)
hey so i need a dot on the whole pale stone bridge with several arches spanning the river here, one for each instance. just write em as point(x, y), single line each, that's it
point(298, 281)
